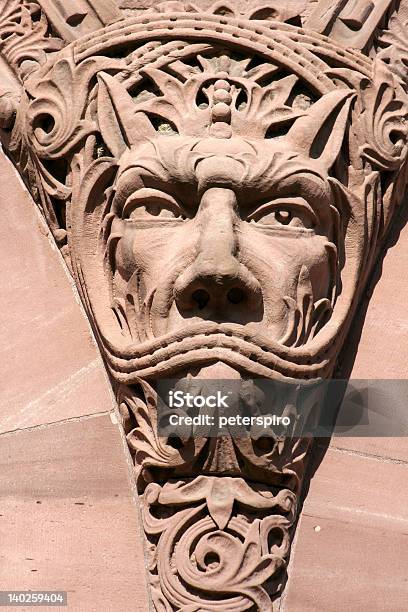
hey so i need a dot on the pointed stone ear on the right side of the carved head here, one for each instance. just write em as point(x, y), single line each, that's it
point(319, 134)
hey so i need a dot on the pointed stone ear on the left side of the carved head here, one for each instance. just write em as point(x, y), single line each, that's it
point(120, 124)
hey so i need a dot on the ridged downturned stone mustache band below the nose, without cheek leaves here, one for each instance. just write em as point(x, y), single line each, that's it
point(206, 342)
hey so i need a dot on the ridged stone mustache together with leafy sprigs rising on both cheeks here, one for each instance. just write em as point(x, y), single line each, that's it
point(199, 343)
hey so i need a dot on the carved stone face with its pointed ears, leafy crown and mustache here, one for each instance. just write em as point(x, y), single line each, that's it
point(213, 229)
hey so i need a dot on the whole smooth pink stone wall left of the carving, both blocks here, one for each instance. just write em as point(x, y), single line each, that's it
point(68, 518)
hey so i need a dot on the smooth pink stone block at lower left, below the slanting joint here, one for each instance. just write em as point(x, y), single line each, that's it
point(68, 519)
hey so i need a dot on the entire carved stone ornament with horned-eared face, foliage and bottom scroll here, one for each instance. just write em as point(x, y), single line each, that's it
point(220, 180)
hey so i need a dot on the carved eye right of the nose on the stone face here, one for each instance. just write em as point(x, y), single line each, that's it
point(295, 213)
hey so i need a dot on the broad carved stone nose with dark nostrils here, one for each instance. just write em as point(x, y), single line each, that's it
point(216, 283)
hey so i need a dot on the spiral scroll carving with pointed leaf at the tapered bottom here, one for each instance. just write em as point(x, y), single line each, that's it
point(207, 558)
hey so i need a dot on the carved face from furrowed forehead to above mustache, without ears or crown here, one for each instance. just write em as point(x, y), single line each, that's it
point(230, 231)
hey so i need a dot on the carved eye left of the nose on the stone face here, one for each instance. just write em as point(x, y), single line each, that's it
point(150, 204)
